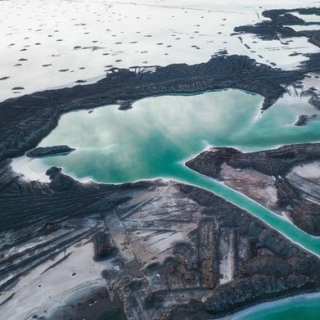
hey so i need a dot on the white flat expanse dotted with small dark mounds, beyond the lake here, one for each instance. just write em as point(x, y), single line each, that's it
point(47, 44)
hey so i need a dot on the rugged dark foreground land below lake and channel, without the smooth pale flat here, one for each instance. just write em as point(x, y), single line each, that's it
point(210, 253)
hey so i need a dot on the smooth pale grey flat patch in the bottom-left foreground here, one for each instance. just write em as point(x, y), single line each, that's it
point(45, 289)
